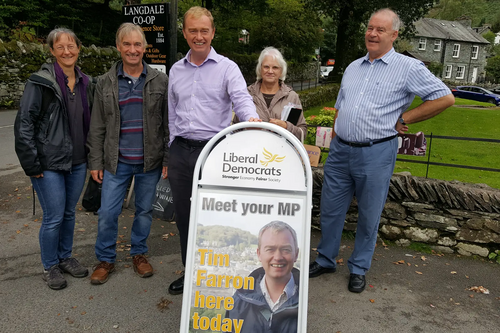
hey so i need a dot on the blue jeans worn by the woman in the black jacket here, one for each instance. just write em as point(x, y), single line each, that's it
point(58, 193)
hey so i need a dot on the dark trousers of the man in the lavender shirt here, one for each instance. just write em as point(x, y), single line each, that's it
point(180, 173)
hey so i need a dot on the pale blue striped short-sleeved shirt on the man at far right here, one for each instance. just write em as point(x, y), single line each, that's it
point(373, 95)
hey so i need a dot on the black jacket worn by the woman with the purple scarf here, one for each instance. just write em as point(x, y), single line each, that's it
point(41, 129)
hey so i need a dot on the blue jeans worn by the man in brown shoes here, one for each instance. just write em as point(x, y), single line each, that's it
point(114, 188)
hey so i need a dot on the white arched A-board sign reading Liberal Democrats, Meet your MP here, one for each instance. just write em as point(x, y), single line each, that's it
point(249, 233)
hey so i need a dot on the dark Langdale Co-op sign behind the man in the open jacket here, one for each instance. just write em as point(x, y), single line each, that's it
point(154, 21)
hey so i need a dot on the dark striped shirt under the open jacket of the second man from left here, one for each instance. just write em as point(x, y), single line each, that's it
point(131, 145)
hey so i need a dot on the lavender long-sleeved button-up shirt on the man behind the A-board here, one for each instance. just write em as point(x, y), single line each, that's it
point(200, 98)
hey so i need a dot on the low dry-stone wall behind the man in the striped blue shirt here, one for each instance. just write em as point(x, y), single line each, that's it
point(448, 216)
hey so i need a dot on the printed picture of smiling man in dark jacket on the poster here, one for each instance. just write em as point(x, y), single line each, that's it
point(272, 306)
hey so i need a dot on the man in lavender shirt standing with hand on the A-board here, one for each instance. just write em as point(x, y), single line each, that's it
point(203, 89)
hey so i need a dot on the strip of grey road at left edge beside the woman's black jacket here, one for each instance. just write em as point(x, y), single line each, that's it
point(9, 162)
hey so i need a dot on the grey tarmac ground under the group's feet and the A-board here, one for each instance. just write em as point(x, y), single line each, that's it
point(399, 298)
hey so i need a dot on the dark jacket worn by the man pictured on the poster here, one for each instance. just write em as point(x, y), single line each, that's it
point(251, 306)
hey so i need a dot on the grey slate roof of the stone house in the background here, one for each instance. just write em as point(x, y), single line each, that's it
point(452, 30)
